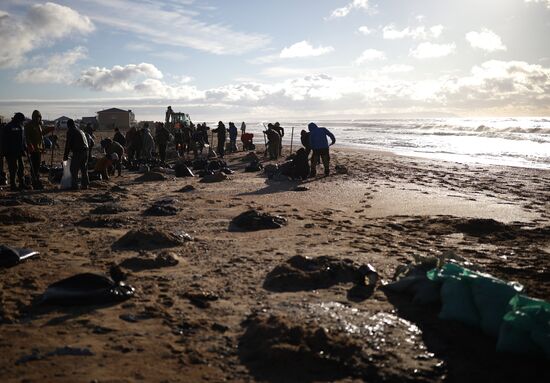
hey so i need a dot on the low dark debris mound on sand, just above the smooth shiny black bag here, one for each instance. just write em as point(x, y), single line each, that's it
point(150, 239)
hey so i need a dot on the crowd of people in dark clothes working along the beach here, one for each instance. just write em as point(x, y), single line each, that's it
point(22, 138)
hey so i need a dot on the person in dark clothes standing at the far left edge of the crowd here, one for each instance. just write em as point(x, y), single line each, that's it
point(14, 148)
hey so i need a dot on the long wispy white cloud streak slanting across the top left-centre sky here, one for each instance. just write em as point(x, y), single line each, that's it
point(173, 23)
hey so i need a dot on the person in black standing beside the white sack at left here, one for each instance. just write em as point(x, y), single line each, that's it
point(77, 144)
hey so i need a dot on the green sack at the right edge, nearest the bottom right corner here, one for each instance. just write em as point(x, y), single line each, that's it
point(526, 326)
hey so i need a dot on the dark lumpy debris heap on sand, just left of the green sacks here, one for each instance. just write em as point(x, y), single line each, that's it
point(304, 273)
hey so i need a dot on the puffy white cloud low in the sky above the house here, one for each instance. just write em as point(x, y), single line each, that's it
point(119, 78)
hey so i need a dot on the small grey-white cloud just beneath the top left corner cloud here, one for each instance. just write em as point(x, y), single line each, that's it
point(57, 70)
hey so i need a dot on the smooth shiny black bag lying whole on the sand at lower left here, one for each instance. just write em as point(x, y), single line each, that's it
point(86, 289)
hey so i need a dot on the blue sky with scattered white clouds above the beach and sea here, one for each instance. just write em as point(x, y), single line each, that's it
point(252, 59)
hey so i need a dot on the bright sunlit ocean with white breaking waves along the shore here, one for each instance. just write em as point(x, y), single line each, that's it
point(522, 142)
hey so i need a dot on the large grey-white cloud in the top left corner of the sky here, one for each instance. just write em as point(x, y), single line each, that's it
point(43, 25)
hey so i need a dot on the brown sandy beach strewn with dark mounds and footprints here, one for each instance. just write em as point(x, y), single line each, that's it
point(210, 316)
